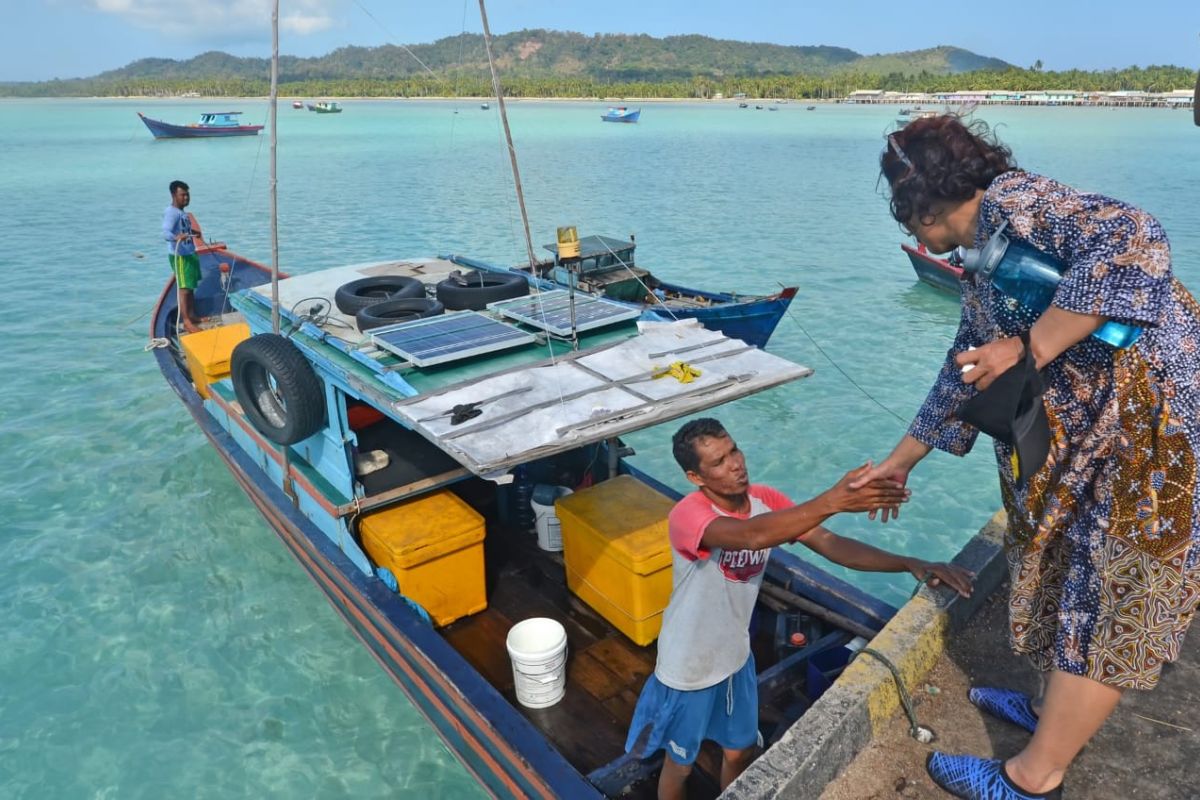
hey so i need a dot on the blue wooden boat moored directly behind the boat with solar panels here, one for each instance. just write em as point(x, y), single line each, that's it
point(607, 269)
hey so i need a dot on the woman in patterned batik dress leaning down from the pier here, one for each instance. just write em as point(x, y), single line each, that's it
point(1103, 542)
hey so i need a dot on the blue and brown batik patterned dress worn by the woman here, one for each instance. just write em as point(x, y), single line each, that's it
point(1105, 543)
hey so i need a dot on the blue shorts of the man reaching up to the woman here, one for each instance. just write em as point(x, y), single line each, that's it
point(677, 721)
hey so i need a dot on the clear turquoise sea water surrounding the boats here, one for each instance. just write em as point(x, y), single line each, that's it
point(155, 639)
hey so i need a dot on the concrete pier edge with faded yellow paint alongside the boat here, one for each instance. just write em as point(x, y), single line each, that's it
point(847, 718)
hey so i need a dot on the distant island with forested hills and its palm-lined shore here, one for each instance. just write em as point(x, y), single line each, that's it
point(557, 64)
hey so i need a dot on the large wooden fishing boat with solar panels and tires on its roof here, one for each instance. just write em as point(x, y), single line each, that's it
point(299, 419)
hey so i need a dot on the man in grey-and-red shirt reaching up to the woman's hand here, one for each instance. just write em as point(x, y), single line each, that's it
point(705, 684)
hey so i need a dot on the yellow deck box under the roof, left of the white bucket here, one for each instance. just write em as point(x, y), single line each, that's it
point(435, 548)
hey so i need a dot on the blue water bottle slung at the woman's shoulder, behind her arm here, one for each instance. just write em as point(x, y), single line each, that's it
point(1030, 278)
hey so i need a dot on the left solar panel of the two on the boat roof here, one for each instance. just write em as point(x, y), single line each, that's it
point(449, 338)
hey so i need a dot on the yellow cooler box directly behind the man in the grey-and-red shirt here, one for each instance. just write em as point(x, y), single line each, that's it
point(619, 554)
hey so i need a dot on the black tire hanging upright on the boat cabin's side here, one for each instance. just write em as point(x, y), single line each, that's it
point(279, 392)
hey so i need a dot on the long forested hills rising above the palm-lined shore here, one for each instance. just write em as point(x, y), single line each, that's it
point(605, 58)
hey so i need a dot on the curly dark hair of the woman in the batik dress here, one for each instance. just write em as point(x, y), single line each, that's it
point(940, 160)
